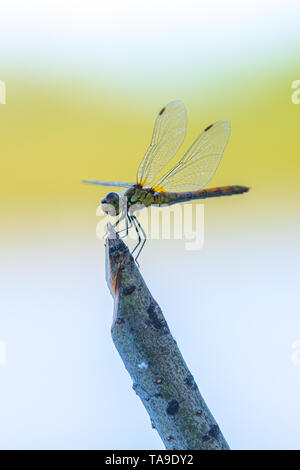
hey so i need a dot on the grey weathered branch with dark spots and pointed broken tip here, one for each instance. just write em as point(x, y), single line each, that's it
point(150, 354)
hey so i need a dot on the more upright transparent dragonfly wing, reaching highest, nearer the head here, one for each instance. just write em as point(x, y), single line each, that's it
point(168, 135)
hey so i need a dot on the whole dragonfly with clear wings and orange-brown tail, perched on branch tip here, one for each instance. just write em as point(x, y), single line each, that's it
point(182, 183)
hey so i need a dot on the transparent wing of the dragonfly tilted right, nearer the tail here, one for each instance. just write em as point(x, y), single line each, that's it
point(200, 162)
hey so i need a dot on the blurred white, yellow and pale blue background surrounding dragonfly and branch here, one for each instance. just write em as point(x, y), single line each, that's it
point(84, 82)
